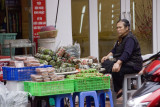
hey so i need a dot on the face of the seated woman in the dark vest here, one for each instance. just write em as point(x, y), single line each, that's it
point(121, 29)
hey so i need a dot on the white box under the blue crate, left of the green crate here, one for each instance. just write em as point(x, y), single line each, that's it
point(15, 85)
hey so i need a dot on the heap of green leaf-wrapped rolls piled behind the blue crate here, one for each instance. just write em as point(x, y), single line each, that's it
point(62, 61)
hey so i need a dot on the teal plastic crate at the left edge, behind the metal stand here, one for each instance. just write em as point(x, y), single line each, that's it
point(7, 36)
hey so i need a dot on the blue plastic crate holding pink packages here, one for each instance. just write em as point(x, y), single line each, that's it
point(20, 74)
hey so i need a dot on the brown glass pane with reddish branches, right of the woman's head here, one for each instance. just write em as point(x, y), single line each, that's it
point(141, 23)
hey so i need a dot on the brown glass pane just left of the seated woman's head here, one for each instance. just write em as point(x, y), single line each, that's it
point(108, 15)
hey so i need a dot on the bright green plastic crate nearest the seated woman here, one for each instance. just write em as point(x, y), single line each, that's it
point(93, 83)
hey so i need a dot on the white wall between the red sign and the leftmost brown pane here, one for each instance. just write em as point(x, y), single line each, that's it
point(64, 24)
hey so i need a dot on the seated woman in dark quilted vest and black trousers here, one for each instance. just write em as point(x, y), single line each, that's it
point(124, 58)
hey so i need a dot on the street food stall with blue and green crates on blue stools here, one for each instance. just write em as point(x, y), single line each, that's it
point(56, 74)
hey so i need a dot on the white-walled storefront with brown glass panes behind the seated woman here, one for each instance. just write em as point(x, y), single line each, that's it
point(98, 36)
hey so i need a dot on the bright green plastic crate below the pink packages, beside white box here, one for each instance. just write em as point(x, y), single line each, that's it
point(49, 88)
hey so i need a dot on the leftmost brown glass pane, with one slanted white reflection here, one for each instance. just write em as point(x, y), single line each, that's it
point(80, 25)
